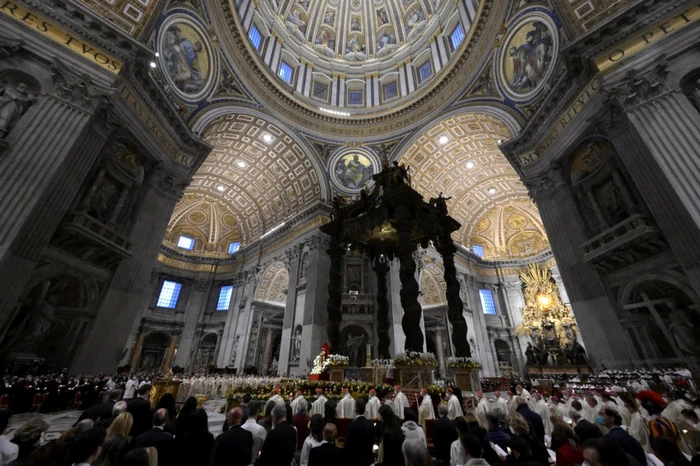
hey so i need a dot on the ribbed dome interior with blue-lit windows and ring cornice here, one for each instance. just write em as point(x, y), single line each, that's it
point(350, 67)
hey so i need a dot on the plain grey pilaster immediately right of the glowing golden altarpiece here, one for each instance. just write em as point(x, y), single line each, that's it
point(589, 297)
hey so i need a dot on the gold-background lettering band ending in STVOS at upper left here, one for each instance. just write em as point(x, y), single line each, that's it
point(60, 35)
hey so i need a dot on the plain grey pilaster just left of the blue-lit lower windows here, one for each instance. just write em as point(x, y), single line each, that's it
point(131, 289)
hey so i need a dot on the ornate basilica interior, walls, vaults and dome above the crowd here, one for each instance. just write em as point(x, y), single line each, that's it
point(169, 172)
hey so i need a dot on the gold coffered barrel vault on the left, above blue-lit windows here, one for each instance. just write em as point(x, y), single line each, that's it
point(255, 178)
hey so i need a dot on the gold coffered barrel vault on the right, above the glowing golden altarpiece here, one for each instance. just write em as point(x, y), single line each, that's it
point(459, 157)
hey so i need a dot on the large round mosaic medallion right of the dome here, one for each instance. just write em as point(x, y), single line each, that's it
point(526, 59)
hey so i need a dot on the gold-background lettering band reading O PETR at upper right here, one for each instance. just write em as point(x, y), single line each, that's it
point(617, 54)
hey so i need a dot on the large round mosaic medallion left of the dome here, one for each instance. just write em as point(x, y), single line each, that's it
point(186, 56)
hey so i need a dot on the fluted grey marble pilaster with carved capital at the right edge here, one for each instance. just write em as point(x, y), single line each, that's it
point(663, 172)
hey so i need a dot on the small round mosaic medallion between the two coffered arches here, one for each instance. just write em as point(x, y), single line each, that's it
point(351, 168)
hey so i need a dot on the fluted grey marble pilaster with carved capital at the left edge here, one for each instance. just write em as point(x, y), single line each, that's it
point(40, 174)
